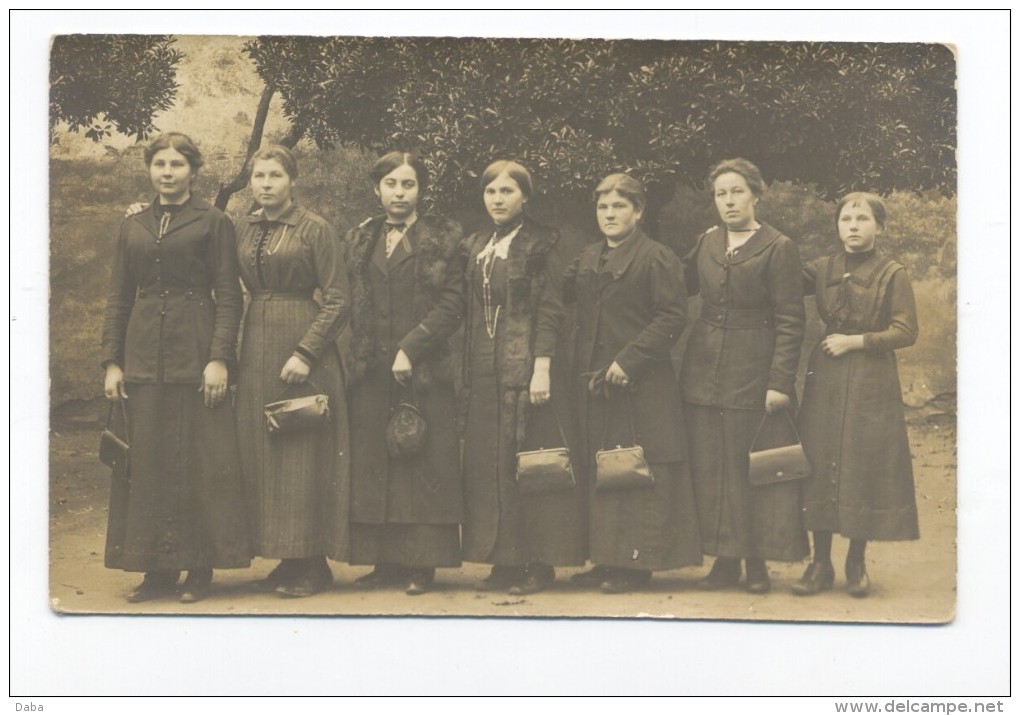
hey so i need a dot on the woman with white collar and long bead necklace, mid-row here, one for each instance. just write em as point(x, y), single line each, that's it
point(515, 313)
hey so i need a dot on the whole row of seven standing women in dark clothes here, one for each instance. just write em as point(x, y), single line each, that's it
point(210, 488)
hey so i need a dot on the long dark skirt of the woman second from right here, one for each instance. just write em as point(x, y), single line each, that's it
point(738, 520)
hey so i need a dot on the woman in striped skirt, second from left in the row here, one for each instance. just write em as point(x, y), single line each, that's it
point(297, 485)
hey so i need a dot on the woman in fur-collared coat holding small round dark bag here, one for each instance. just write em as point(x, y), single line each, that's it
point(407, 278)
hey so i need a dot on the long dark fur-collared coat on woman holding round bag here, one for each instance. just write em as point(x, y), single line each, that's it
point(413, 301)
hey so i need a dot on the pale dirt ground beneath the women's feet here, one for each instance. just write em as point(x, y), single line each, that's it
point(913, 582)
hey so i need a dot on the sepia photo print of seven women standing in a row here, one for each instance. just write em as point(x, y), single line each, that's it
point(502, 331)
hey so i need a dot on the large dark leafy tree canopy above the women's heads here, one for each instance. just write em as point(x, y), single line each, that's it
point(842, 117)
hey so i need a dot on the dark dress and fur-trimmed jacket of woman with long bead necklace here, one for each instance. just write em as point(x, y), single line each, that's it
point(503, 527)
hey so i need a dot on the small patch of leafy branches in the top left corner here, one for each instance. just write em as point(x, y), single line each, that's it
point(108, 83)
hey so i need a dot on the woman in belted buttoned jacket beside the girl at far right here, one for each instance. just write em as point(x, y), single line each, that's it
point(741, 363)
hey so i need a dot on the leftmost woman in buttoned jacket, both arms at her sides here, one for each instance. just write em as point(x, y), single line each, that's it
point(169, 339)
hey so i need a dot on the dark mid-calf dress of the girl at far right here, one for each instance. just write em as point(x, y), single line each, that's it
point(852, 421)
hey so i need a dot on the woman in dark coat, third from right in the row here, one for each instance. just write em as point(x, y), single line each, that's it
point(632, 310)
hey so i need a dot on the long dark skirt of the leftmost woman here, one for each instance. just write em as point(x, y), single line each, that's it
point(180, 504)
